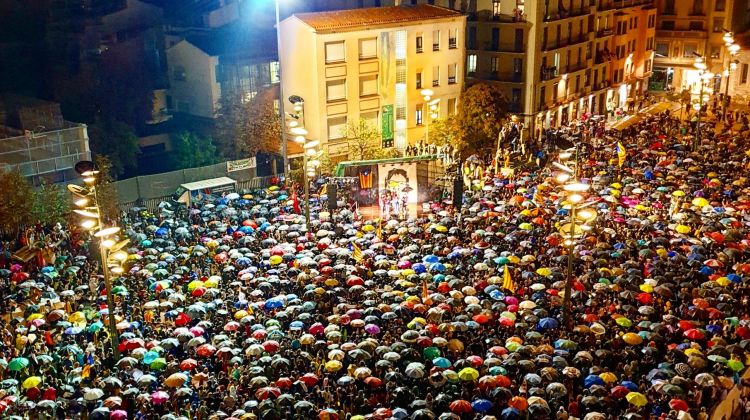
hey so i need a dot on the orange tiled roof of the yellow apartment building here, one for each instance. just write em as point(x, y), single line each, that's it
point(373, 16)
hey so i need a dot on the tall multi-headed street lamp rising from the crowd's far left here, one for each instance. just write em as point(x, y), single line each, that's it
point(110, 249)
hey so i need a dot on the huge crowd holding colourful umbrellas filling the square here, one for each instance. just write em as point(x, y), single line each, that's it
point(233, 309)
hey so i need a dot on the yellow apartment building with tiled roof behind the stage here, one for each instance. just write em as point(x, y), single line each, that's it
point(372, 63)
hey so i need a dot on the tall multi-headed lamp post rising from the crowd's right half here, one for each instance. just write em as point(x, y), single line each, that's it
point(580, 215)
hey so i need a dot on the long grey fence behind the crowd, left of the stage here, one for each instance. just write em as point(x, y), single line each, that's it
point(150, 190)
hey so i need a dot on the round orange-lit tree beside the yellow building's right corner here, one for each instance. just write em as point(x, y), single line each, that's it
point(480, 116)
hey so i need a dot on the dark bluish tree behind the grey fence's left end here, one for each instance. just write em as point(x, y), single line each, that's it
point(117, 141)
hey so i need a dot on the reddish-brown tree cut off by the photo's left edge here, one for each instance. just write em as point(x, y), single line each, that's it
point(17, 202)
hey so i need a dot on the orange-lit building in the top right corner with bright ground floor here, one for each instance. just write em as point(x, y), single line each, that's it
point(687, 29)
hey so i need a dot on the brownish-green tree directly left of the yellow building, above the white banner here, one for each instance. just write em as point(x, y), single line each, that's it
point(246, 127)
